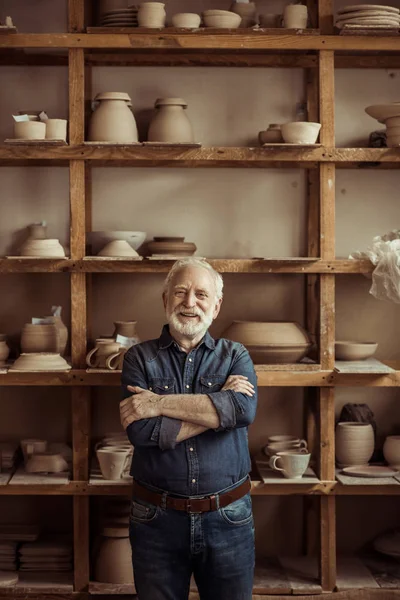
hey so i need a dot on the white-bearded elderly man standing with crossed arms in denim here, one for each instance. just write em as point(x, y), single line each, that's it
point(188, 402)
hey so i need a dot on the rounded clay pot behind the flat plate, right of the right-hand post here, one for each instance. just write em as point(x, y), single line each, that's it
point(354, 443)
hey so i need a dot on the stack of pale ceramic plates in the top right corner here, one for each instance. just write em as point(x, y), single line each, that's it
point(368, 16)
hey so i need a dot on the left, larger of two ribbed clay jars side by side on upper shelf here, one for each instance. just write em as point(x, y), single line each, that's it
point(113, 121)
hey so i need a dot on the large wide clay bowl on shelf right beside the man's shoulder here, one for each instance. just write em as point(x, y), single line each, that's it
point(256, 333)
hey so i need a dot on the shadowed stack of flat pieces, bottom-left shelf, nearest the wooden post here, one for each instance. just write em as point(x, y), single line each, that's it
point(45, 556)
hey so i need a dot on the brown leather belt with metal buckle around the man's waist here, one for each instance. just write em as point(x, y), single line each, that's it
point(192, 505)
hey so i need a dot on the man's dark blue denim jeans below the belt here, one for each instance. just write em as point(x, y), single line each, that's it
point(169, 545)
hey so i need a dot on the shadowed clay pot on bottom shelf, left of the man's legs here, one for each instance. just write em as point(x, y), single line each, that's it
point(114, 560)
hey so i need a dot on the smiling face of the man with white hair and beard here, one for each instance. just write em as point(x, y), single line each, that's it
point(191, 303)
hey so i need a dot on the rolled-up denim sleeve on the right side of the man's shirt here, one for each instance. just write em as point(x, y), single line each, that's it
point(236, 409)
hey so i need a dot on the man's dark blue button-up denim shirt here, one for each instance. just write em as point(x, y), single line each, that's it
point(213, 460)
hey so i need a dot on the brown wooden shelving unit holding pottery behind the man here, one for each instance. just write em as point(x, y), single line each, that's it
point(318, 54)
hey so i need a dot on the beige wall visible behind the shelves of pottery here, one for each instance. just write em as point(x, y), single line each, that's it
point(227, 213)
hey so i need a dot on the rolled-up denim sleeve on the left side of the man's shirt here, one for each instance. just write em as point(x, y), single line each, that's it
point(157, 431)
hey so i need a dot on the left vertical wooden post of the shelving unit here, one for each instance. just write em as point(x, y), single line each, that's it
point(80, 396)
